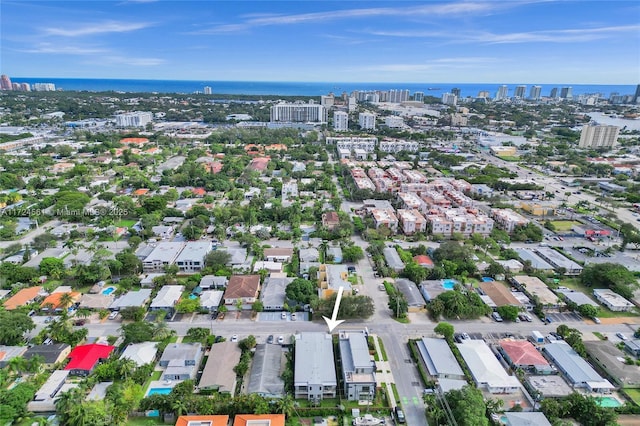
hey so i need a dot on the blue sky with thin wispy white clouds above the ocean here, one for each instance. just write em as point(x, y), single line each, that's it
point(496, 41)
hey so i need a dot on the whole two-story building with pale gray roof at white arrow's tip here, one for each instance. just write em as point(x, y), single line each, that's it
point(314, 372)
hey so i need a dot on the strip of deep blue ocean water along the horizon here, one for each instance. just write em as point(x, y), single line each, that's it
point(302, 88)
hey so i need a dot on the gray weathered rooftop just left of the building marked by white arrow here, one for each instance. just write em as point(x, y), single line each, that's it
point(266, 369)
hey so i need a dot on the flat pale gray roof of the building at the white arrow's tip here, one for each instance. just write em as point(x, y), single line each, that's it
point(315, 363)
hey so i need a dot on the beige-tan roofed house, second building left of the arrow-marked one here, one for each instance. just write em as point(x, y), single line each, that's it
point(218, 374)
